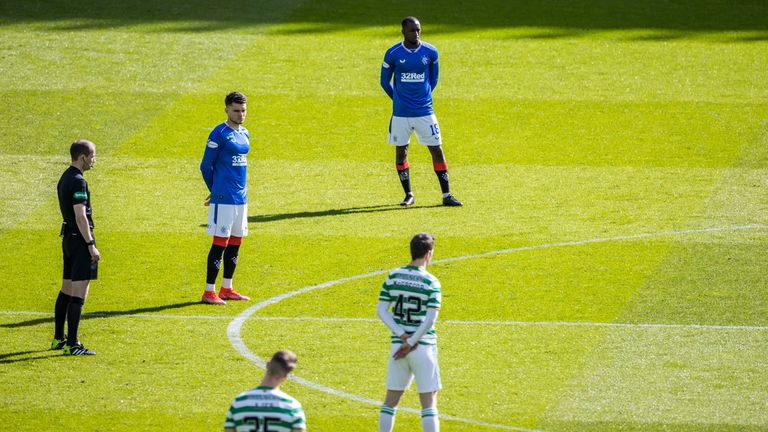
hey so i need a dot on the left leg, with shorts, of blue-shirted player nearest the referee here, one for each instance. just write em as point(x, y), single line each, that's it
point(219, 226)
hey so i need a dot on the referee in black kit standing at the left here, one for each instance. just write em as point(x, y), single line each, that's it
point(81, 258)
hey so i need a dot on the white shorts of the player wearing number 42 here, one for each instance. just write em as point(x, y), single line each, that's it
point(420, 363)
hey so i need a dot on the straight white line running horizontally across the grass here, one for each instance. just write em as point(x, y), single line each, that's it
point(442, 322)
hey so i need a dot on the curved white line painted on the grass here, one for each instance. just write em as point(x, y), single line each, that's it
point(235, 326)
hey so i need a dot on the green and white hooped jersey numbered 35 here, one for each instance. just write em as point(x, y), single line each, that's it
point(265, 409)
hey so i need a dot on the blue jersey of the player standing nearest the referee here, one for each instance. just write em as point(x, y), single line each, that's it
point(224, 164)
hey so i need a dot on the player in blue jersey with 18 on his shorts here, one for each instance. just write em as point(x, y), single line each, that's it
point(409, 75)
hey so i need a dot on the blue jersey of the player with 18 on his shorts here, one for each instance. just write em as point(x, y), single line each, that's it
point(413, 75)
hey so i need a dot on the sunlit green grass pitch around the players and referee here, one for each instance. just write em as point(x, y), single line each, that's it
point(562, 123)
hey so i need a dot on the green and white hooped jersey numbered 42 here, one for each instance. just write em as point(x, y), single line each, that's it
point(411, 291)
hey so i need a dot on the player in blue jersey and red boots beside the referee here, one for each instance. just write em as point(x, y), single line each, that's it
point(224, 172)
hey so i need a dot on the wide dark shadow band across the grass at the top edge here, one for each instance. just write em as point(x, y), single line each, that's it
point(453, 15)
